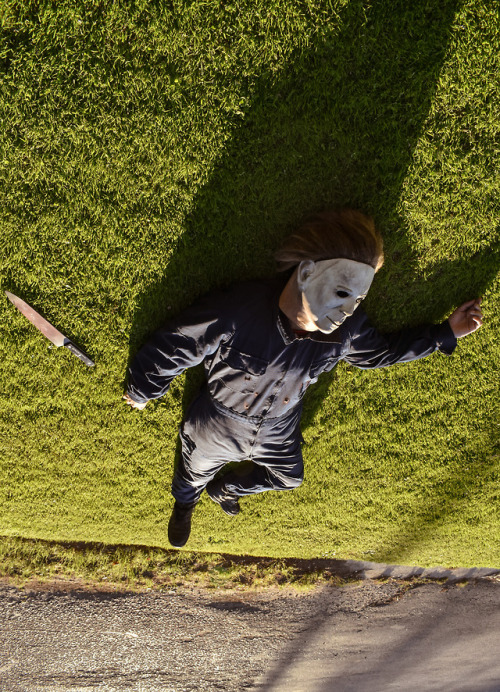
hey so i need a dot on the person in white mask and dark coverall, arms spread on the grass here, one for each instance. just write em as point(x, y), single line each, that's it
point(263, 343)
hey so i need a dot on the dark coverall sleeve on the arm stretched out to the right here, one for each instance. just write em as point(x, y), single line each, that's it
point(369, 348)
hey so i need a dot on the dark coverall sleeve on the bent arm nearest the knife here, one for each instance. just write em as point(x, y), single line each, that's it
point(182, 343)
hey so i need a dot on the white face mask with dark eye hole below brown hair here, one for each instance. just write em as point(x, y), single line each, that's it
point(331, 291)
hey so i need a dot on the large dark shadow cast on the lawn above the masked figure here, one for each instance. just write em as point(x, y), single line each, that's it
point(338, 128)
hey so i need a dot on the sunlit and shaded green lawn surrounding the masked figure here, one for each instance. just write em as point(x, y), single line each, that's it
point(150, 151)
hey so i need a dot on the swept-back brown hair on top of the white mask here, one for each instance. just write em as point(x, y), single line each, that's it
point(345, 233)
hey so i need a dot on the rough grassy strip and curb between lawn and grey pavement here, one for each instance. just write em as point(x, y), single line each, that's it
point(36, 564)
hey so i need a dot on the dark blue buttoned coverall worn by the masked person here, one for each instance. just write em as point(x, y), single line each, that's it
point(257, 372)
